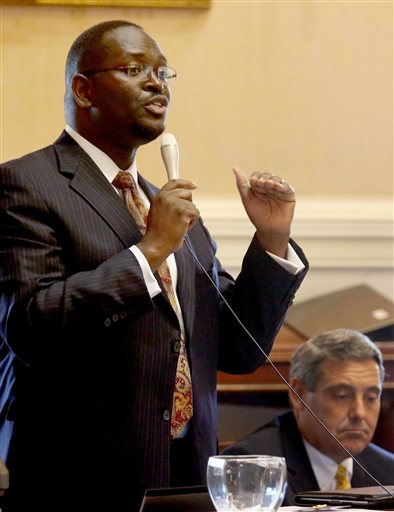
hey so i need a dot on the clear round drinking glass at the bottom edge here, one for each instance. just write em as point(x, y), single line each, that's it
point(246, 482)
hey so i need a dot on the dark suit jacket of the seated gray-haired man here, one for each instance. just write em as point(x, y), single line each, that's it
point(281, 437)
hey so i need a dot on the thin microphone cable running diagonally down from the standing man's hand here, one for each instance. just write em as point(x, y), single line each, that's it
point(192, 252)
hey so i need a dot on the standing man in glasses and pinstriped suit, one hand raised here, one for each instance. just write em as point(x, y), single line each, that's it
point(113, 331)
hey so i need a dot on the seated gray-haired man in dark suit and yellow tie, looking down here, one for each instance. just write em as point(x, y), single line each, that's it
point(339, 375)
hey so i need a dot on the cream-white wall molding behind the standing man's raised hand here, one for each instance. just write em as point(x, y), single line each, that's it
point(347, 240)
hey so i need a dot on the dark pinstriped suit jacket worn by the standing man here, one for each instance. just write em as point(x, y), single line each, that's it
point(88, 362)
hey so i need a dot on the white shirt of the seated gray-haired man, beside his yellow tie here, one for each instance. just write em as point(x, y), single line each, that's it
point(325, 468)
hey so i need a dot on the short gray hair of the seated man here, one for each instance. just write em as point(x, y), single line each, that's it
point(336, 345)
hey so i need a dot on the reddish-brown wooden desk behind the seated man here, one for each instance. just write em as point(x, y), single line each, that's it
point(265, 386)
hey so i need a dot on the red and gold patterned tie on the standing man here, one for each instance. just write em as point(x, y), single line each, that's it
point(182, 408)
